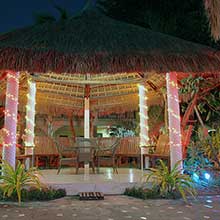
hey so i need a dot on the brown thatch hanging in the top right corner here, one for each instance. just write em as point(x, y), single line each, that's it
point(213, 12)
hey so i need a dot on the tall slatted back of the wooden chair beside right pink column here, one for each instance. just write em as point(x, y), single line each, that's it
point(162, 147)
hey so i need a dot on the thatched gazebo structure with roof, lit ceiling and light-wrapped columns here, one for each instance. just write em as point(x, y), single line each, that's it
point(92, 63)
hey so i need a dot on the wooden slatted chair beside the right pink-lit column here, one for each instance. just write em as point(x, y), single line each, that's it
point(162, 150)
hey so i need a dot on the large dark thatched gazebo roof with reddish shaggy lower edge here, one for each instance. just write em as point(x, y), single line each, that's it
point(93, 43)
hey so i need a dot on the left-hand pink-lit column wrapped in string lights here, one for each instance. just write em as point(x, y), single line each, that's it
point(10, 127)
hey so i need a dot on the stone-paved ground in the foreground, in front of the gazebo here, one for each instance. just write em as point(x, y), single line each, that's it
point(115, 208)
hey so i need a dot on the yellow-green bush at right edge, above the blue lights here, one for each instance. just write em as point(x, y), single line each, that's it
point(212, 148)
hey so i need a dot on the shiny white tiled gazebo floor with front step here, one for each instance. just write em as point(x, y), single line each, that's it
point(105, 182)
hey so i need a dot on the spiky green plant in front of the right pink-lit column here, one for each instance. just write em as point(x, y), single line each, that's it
point(171, 182)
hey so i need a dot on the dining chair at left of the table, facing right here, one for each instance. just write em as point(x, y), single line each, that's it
point(67, 155)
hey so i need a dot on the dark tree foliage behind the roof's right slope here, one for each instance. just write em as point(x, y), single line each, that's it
point(184, 19)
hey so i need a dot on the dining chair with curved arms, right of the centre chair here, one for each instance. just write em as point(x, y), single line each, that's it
point(108, 153)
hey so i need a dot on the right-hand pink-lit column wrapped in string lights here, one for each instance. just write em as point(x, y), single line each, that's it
point(174, 120)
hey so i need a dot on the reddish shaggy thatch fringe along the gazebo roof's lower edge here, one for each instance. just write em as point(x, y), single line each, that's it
point(51, 61)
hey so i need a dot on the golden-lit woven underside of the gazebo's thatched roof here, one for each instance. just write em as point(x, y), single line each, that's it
point(55, 97)
